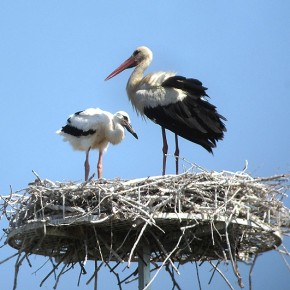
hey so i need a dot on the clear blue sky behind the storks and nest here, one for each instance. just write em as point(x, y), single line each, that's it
point(55, 55)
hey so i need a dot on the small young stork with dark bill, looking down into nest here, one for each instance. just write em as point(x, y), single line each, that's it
point(94, 128)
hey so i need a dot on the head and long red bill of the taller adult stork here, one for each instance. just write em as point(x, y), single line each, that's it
point(141, 56)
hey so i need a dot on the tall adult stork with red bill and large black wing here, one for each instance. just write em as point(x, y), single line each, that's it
point(174, 102)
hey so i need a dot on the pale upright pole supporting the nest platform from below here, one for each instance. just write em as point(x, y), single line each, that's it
point(144, 267)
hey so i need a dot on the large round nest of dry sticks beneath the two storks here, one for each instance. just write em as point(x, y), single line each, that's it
point(200, 216)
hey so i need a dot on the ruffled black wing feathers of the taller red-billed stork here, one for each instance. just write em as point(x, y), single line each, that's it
point(192, 118)
